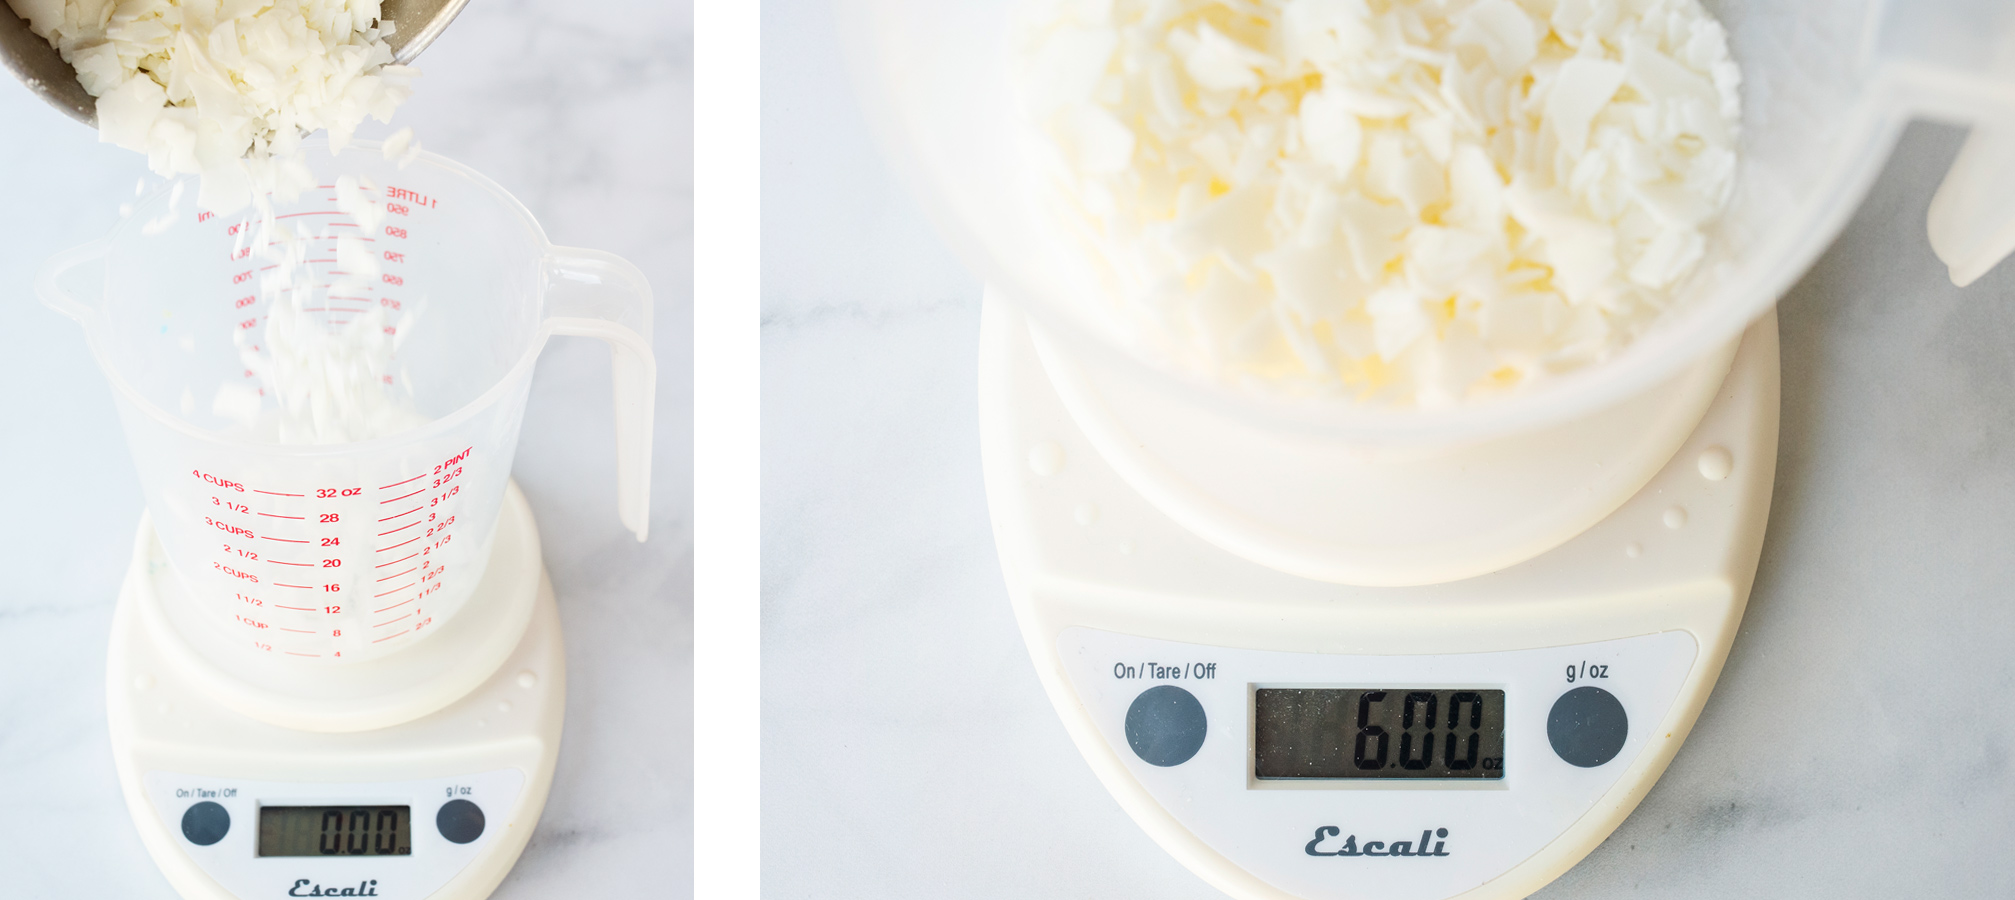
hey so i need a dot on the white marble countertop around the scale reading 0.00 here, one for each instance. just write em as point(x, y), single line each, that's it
point(585, 114)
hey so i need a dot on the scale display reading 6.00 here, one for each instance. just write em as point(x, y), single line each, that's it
point(1379, 732)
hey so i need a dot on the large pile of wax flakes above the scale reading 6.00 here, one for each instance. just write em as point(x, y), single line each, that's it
point(1407, 202)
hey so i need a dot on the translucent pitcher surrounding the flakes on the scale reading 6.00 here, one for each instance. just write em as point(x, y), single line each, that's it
point(1827, 90)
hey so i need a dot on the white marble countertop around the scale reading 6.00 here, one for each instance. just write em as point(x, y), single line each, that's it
point(1859, 744)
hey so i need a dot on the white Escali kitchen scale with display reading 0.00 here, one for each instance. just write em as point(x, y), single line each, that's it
point(416, 776)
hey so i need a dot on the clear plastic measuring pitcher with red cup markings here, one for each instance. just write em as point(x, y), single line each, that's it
point(348, 551)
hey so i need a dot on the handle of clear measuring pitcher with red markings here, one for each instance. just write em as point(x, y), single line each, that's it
point(599, 295)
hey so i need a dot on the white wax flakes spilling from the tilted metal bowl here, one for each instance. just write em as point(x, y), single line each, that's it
point(225, 90)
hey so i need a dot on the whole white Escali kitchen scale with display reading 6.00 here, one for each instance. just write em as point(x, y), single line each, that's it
point(1470, 730)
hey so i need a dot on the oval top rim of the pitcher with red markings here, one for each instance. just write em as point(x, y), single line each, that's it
point(432, 430)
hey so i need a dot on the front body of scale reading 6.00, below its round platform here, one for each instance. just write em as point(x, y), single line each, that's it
point(1291, 738)
